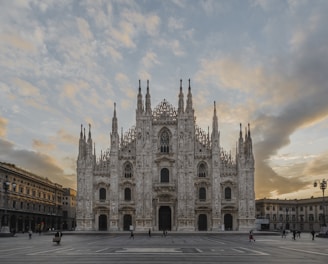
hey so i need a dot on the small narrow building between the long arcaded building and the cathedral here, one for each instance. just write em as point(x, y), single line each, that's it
point(69, 209)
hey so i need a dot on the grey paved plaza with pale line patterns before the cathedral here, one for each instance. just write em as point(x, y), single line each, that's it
point(174, 248)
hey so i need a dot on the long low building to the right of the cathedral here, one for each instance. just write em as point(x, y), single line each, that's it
point(302, 214)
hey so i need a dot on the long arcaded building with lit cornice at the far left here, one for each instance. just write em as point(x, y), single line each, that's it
point(34, 203)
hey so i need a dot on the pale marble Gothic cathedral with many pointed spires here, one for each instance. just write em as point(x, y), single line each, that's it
point(165, 173)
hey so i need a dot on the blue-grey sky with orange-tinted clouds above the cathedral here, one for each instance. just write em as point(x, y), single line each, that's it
point(65, 63)
